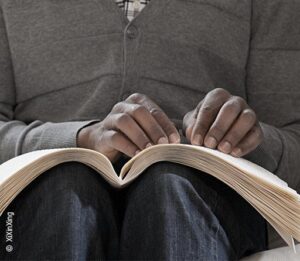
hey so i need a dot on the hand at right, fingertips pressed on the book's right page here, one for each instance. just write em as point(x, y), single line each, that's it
point(224, 122)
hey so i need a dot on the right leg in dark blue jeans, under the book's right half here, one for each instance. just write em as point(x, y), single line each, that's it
point(193, 203)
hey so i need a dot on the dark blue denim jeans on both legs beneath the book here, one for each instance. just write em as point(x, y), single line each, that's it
point(171, 212)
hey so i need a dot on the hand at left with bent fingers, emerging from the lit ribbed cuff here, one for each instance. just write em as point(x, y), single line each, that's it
point(131, 126)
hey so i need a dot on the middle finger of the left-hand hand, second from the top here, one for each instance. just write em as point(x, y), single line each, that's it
point(147, 122)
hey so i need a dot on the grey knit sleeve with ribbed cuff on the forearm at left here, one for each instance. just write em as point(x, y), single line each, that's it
point(17, 138)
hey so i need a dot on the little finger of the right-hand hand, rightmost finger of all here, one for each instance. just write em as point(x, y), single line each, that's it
point(253, 138)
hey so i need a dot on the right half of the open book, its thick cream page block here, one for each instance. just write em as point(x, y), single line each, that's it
point(270, 195)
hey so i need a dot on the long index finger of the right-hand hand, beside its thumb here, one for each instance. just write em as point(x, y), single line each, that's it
point(207, 114)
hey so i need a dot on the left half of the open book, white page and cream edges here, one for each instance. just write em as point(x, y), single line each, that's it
point(20, 171)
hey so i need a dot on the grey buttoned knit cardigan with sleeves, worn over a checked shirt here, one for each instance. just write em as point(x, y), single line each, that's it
point(65, 63)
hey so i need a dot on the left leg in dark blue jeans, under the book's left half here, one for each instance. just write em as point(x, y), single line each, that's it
point(61, 215)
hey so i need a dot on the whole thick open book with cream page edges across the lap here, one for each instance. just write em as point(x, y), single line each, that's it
point(269, 195)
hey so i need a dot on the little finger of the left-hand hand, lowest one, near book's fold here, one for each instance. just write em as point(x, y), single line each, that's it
point(119, 142)
